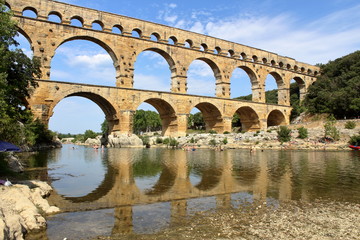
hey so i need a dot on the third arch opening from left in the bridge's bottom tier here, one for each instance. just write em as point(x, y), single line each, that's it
point(205, 116)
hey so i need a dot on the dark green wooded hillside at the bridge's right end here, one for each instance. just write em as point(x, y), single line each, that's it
point(337, 90)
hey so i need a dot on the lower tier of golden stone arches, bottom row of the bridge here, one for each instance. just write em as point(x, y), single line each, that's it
point(119, 106)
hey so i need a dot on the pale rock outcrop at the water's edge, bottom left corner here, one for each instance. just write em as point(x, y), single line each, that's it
point(23, 207)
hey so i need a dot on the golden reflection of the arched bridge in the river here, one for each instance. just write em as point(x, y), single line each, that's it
point(176, 183)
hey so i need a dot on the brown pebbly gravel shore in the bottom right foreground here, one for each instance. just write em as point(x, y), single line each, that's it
point(291, 220)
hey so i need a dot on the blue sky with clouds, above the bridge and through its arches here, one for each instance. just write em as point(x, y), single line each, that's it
point(313, 31)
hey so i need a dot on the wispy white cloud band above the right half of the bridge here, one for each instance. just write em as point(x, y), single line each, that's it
point(319, 41)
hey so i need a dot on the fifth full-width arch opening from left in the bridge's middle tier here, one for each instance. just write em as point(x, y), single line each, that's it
point(273, 83)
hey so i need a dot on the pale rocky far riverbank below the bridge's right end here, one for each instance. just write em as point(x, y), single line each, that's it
point(267, 139)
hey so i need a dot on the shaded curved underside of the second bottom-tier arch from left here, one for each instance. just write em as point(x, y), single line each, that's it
point(167, 115)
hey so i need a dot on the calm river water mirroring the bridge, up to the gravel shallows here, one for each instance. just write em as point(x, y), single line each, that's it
point(124, 190)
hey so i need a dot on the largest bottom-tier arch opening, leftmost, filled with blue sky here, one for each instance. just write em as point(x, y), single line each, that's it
point(82, 111)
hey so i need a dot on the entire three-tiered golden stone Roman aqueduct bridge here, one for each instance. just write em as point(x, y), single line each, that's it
point(124, 38)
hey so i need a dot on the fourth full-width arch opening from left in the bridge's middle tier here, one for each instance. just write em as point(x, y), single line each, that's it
point(243, 80)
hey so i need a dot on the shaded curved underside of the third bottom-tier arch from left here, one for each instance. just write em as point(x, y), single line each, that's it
point(211, 115)
